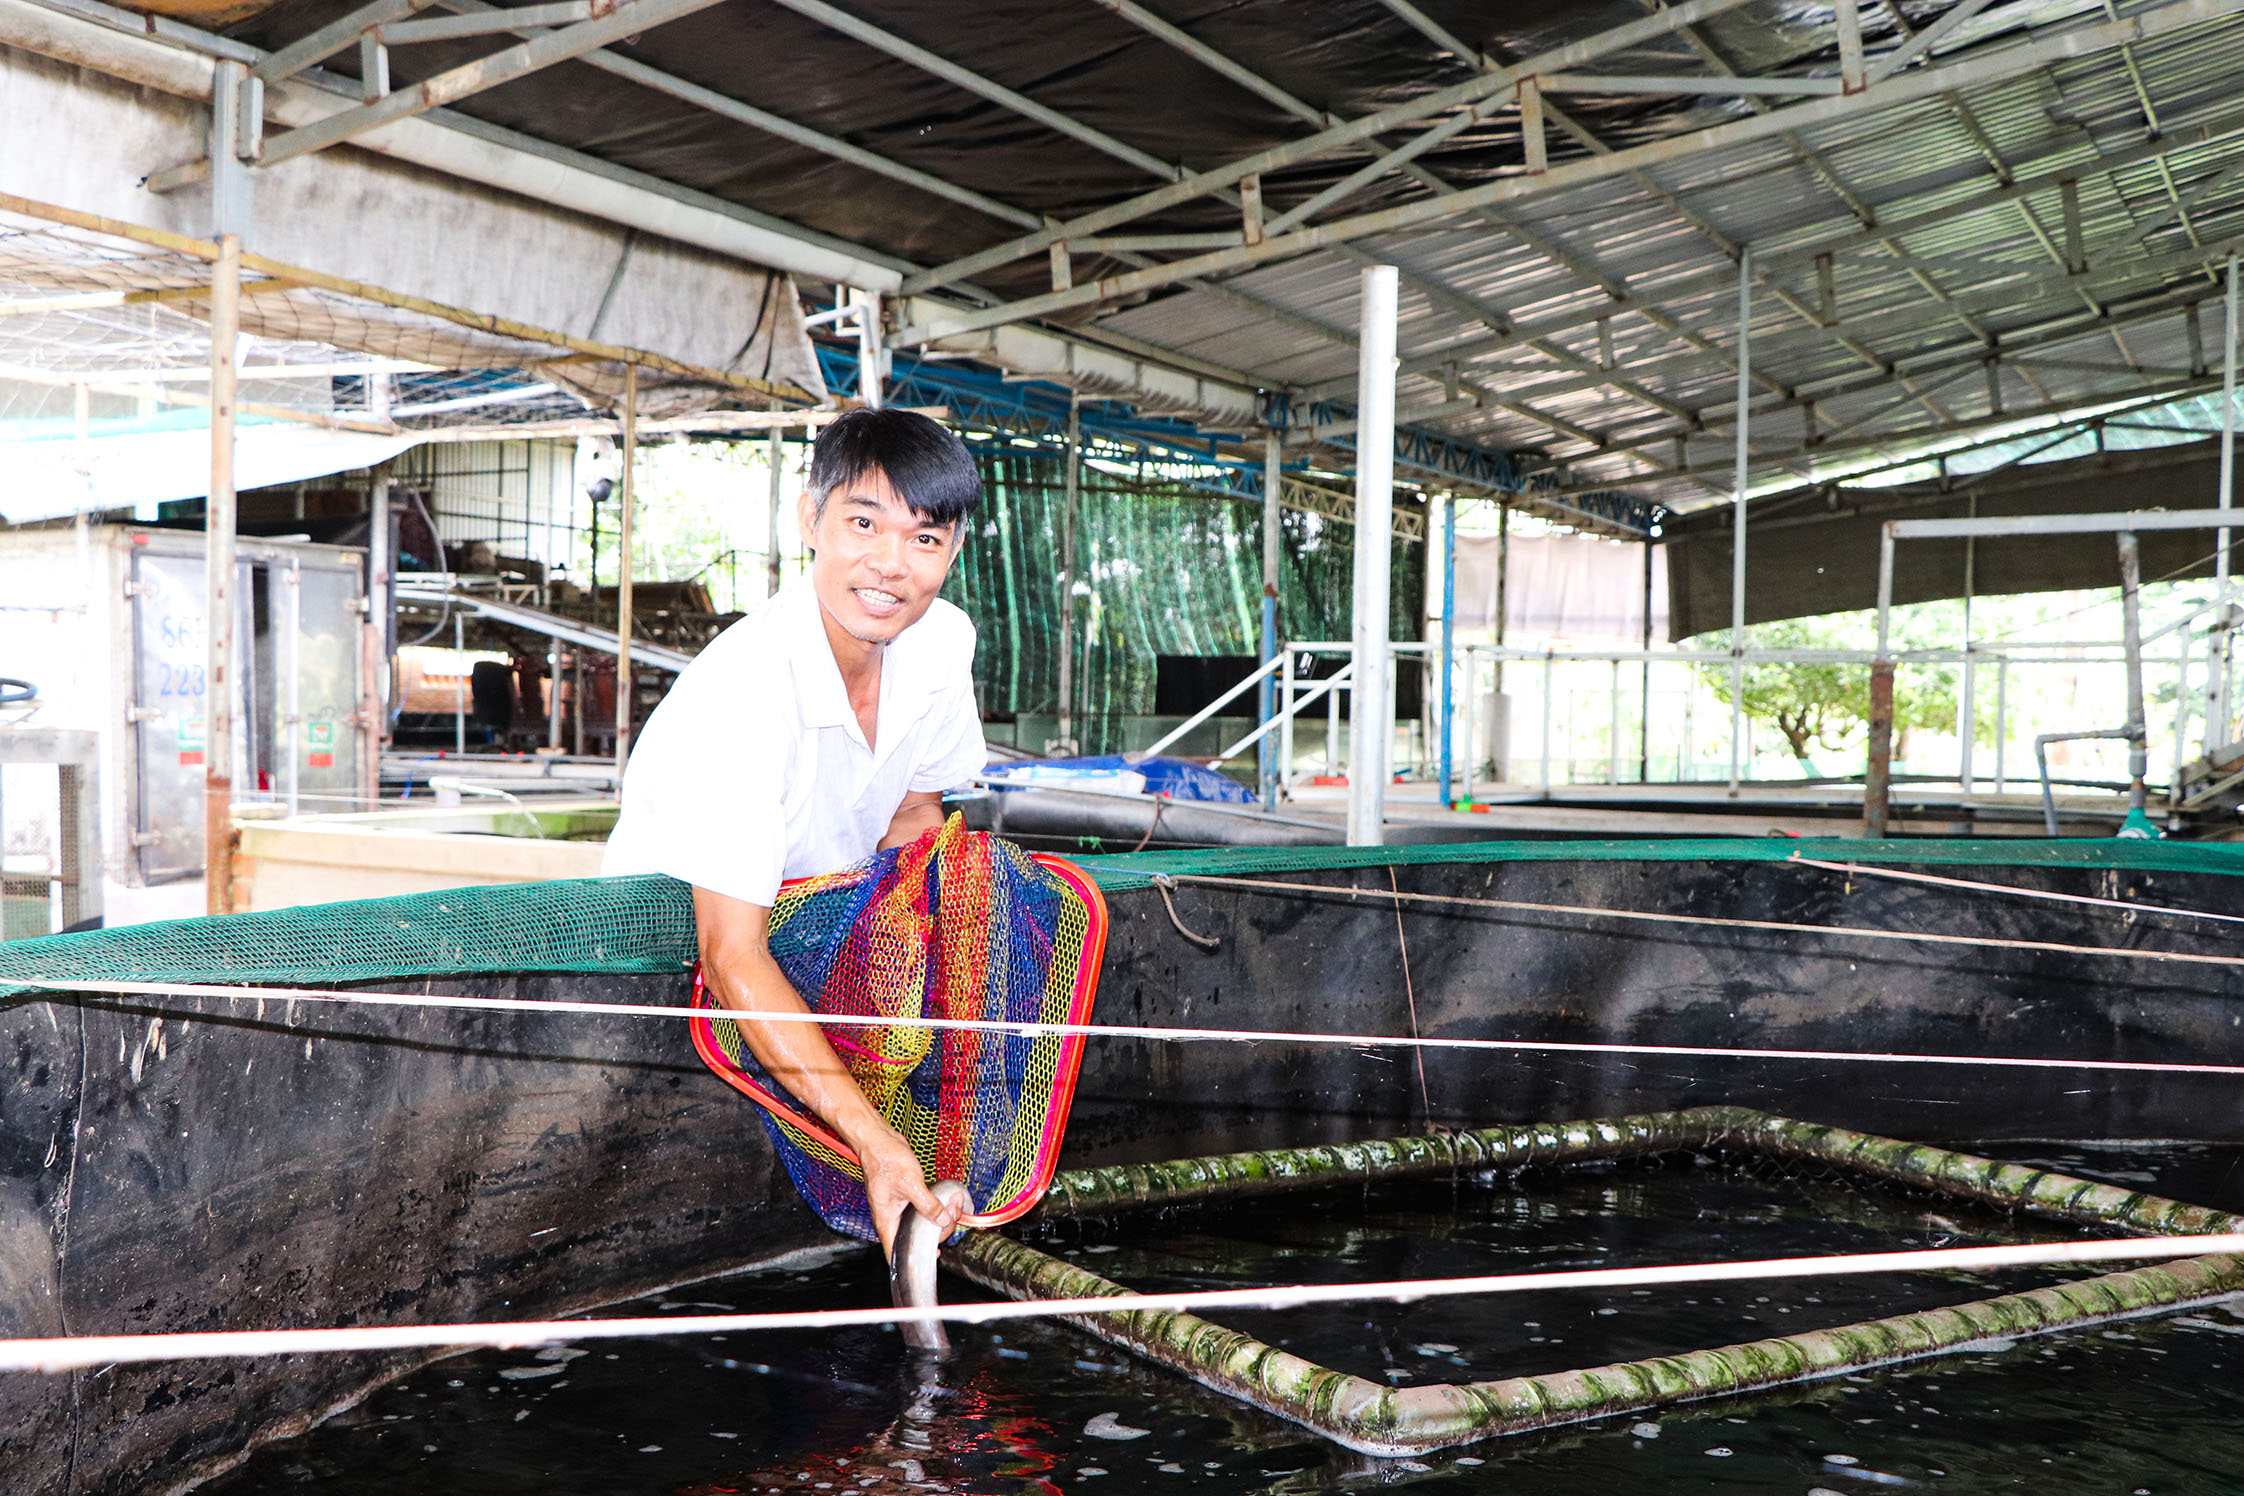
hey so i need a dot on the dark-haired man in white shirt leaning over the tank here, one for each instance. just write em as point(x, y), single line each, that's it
point(813, 732)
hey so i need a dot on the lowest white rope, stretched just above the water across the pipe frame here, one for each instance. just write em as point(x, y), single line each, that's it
point(82, 1351)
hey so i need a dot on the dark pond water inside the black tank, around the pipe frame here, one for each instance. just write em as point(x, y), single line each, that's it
point(2142, 1407)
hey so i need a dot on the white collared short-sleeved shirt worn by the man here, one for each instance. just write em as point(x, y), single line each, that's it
point(755, 770)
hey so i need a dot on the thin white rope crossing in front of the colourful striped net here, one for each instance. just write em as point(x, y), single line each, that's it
point(1105, 1031)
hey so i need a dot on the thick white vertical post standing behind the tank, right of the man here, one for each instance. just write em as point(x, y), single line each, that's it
point(1372, 714)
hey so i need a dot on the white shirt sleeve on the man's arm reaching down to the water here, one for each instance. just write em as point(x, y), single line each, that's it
point(703, 795)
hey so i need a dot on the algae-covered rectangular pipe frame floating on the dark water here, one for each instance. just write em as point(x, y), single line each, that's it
point(1386, 1421)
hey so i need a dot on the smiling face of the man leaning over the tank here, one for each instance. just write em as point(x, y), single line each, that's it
point(876, 564)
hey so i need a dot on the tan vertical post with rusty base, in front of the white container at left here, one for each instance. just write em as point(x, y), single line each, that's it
point(219, 587)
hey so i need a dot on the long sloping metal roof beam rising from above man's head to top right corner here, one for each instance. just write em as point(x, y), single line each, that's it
point(1911, 89)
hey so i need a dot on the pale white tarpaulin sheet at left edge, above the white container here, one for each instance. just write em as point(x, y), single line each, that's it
point(55, 477)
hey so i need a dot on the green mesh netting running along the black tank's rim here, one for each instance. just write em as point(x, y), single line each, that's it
point(647, 923)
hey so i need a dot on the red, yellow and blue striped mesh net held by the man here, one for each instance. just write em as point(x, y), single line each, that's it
point(957, 925)
